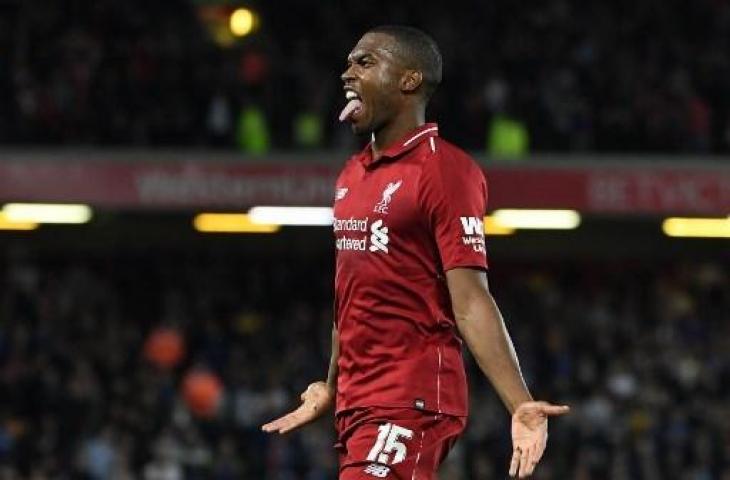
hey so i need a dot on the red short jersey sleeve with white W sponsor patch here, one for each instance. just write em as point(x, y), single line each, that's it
point(453, 196)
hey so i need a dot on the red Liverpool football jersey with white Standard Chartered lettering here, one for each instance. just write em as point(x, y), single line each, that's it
point(400, 223)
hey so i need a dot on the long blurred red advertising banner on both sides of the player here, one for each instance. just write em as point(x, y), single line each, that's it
point(198, 185)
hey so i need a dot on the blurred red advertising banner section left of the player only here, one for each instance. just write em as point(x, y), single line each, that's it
point(167, 185)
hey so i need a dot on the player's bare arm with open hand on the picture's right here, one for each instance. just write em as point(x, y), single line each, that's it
point(482, 327)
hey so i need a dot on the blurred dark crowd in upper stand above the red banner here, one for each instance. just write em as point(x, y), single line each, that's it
point(565, 75)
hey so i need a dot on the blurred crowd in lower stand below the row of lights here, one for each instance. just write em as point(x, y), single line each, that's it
point(640, 350)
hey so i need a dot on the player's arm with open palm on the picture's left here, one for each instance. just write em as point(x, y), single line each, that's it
point(317, 399)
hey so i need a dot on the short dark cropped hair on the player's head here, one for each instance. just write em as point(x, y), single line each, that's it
point(419, 50)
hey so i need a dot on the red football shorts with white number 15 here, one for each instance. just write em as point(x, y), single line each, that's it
point(394, 443)
